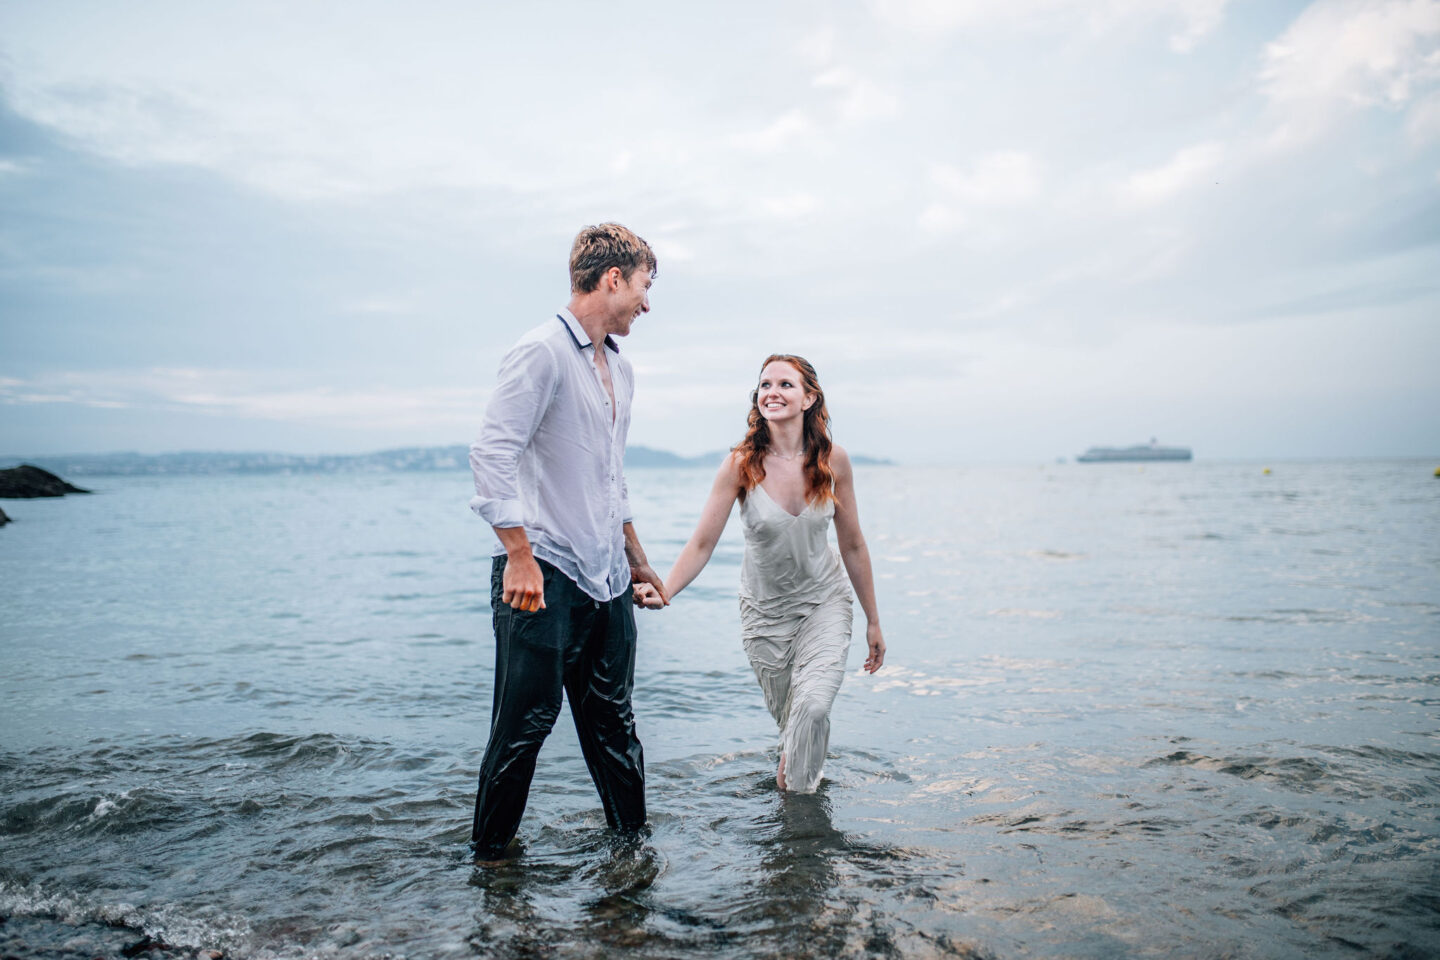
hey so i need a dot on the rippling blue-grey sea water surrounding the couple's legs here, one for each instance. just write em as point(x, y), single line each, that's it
point(1176, 710)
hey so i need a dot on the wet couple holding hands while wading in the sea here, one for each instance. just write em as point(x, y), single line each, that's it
point(549, 479)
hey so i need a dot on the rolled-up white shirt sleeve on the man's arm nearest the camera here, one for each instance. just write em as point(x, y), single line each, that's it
point(526, 386)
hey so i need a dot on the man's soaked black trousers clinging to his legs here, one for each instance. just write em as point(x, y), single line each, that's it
point(585, 650)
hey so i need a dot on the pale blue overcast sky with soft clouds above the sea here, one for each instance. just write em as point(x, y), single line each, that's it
point(1002, 231)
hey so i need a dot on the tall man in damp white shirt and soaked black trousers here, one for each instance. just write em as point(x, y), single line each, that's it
point(549, 477)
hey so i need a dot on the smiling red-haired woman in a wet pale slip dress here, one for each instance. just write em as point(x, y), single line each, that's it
point(796, 605)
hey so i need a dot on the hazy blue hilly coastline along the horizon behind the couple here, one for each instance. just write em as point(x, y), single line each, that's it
point(400, 461)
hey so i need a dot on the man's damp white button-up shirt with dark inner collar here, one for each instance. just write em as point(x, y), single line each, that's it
point(551, 454)
